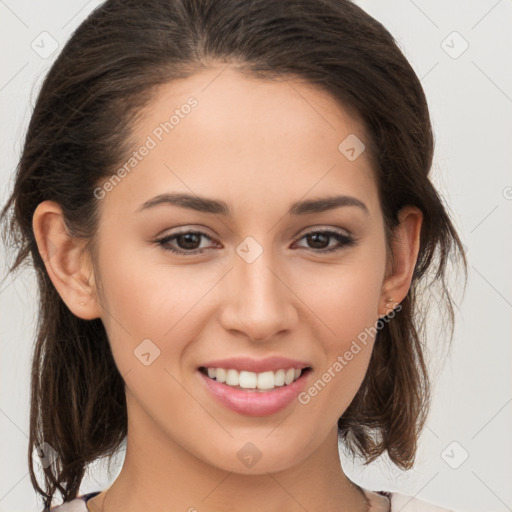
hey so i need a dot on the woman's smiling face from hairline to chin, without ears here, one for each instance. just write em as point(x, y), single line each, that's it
point(264, 285)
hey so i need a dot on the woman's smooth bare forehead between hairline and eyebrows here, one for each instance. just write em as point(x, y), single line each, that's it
point(251, 141)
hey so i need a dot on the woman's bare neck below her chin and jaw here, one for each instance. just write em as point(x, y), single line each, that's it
point(159, 474)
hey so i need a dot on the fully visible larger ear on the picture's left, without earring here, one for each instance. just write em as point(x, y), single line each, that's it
point(67, 264)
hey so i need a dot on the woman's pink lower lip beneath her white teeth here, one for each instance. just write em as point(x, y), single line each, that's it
point(252, 402)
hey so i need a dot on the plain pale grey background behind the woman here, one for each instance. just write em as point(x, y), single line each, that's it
point(470, 96)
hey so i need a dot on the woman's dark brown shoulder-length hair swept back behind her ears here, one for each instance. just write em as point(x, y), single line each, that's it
point(80, 130)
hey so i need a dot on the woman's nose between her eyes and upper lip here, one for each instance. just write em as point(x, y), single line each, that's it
point(258, 301)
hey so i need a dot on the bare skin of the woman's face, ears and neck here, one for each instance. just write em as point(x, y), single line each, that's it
point(258, 145)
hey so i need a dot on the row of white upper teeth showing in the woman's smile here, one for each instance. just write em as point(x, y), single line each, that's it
point(252, 380)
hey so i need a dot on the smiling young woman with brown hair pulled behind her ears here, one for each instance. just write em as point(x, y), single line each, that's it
point(229, 211)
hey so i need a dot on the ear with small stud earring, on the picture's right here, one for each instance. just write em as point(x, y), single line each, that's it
point(405, 246)
